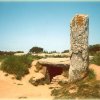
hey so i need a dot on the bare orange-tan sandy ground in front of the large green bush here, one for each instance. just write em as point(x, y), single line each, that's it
point(14, 89)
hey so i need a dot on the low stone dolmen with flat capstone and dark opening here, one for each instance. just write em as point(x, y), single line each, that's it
point(47, 69)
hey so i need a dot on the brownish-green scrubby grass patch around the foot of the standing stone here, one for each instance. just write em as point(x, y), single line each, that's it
point(88, 88)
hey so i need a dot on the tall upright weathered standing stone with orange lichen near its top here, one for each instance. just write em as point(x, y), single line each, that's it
point(79, 58)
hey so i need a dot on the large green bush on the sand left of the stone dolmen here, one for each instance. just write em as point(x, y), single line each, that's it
point(17, 65)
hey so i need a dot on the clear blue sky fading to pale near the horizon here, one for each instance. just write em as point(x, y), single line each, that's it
point(24, 25)
